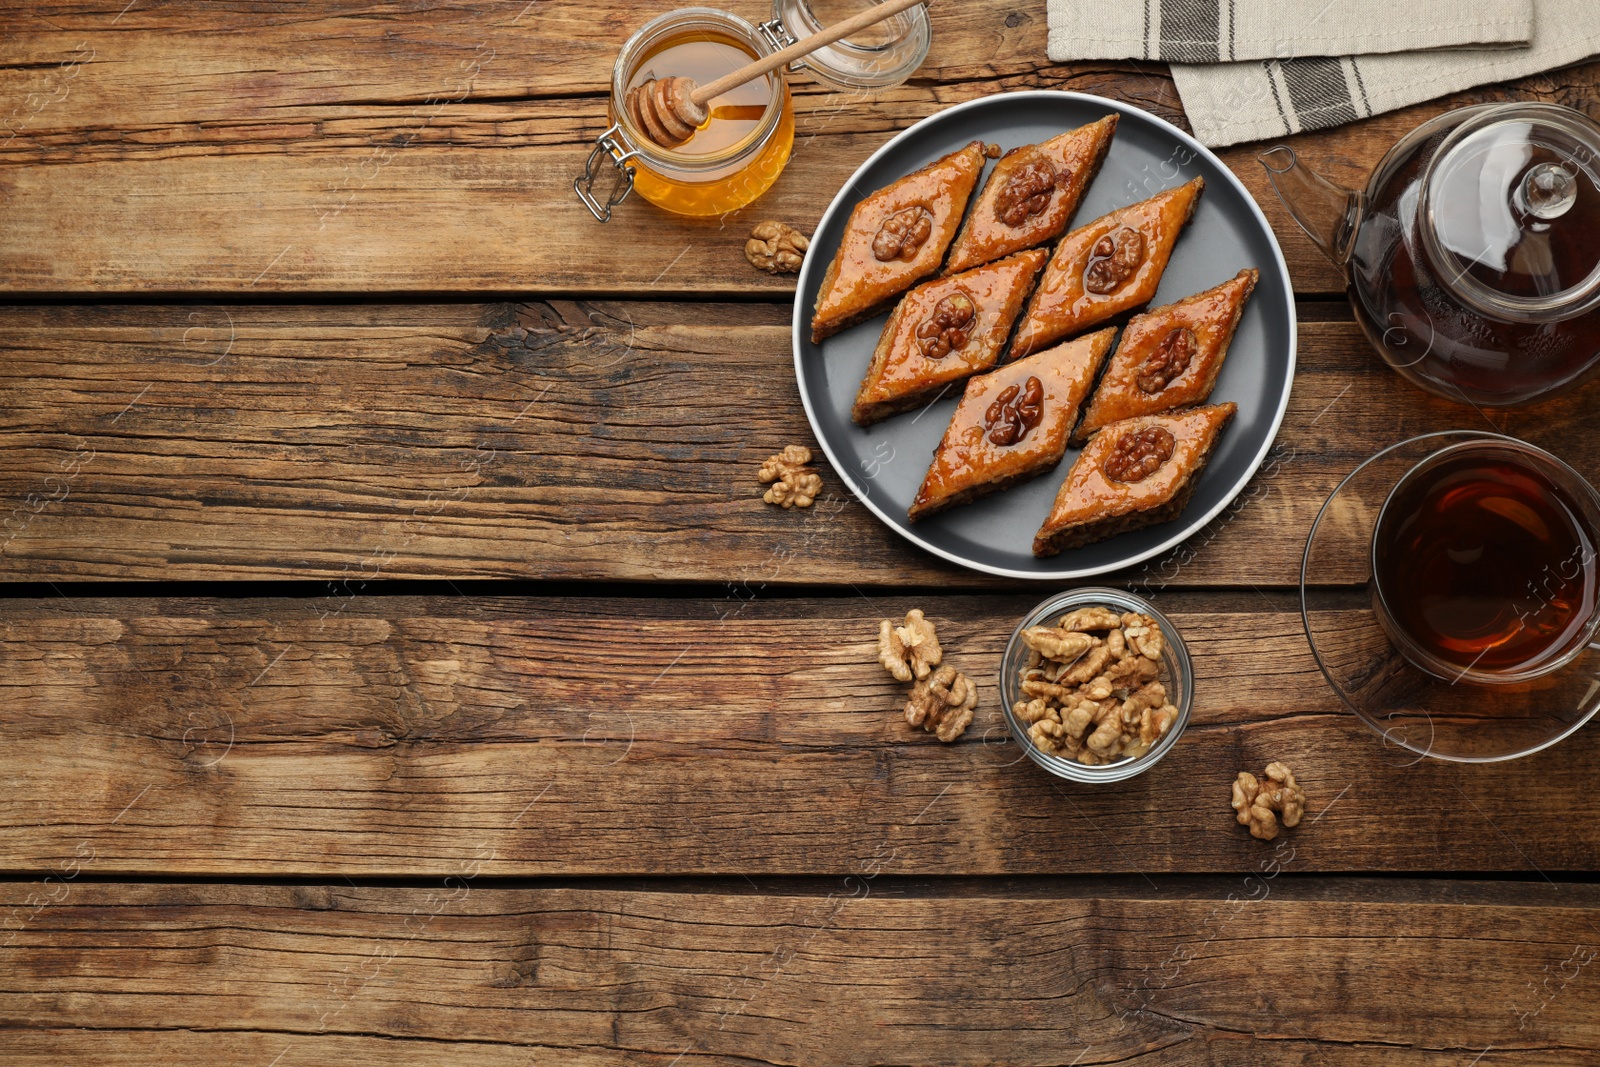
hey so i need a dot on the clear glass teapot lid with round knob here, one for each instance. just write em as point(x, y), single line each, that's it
point(1513, 209)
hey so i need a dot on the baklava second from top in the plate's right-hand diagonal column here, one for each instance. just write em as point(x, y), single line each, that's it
point(1106, 268)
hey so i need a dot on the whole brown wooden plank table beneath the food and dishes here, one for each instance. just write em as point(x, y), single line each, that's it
point(302, 292)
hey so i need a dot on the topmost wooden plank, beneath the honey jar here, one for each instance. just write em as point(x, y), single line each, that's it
point(354, 148)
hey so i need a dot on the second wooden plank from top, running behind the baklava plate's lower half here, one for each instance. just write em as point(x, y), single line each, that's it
point(538, 441)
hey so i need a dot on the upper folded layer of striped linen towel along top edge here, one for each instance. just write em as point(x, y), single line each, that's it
point(1226, 31)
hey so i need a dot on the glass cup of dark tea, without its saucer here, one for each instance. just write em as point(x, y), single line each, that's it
point(1484, 564)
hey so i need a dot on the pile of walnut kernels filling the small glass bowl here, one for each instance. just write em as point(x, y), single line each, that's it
point(1092, 687)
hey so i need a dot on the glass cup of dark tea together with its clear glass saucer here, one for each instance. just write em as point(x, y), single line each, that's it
point(1450, 593)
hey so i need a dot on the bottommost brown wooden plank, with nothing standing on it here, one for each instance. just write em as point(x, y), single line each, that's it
point(854, 972)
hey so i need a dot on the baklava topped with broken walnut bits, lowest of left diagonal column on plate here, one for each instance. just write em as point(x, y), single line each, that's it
point(1012, 425)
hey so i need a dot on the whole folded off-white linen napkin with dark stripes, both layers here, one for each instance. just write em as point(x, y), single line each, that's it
point(1322, 63)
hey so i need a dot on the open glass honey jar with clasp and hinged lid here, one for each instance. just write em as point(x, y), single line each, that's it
point(743, 148)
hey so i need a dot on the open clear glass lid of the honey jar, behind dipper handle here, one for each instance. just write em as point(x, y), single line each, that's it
point(876, 58)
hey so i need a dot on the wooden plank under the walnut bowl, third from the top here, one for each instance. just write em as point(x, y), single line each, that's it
point(406, 737)
